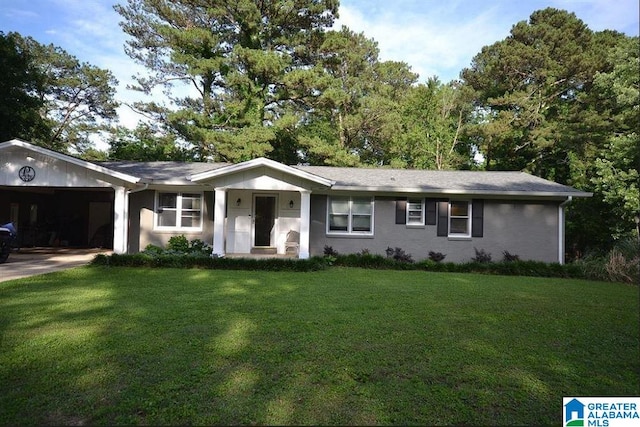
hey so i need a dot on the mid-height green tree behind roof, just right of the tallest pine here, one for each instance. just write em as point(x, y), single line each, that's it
point(356, 111)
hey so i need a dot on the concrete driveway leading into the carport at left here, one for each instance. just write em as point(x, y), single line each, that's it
point(30, 262)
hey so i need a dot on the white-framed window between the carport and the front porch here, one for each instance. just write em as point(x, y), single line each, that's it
point(176, 210)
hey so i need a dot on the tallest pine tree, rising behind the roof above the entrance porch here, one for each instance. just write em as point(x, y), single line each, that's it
point(237, 57)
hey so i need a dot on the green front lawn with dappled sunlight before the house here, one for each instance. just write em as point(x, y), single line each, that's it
point(99, 345)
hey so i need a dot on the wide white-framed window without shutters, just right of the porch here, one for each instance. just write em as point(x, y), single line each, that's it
point(350, 215)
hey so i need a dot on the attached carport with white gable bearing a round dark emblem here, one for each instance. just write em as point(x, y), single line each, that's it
point(56, 200)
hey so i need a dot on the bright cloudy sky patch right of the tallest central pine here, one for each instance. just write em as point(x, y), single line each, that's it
point(441, 38)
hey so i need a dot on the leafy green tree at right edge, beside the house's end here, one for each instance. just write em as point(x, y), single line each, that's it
point(611, 169)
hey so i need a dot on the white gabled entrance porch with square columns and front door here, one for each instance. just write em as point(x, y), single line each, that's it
point(265, 203)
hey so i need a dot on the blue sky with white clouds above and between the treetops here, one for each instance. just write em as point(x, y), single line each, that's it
point(435, 37)
